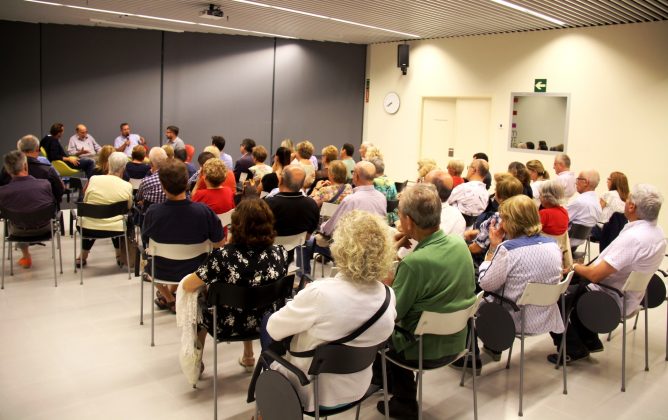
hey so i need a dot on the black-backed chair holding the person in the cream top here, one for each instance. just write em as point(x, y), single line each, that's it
point(101, 211)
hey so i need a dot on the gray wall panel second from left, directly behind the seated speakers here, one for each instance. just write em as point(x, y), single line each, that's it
point(101, 77)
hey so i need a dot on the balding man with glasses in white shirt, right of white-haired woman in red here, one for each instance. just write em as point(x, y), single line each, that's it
point(586, 208)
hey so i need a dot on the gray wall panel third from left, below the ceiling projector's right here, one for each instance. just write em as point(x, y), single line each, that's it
point(218, 84)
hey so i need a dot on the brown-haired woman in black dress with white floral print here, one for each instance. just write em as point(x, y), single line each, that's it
point(249, 259)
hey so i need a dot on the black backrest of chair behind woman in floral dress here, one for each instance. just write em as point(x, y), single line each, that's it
point(247, 298)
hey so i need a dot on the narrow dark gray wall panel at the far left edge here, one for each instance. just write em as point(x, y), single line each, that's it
point(19, 82)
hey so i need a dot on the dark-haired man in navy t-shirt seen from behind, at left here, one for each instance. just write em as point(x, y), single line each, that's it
point(177, 221)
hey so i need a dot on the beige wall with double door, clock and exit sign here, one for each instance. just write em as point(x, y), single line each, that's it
point(617, 77)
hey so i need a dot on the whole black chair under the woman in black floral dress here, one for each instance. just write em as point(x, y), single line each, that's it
point(245, 298)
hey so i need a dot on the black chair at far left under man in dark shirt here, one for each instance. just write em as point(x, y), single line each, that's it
point(23, 218)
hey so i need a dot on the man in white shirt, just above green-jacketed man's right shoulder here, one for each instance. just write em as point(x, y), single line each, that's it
point(471, 197)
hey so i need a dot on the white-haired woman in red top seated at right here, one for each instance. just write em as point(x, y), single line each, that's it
point(554, 218)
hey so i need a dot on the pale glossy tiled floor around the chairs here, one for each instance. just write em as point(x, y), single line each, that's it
point(78, 352)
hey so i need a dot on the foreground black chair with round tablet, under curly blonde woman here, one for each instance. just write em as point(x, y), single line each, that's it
point(278, 400)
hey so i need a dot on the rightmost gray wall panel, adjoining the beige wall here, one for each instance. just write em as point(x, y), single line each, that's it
point(319, 93)
